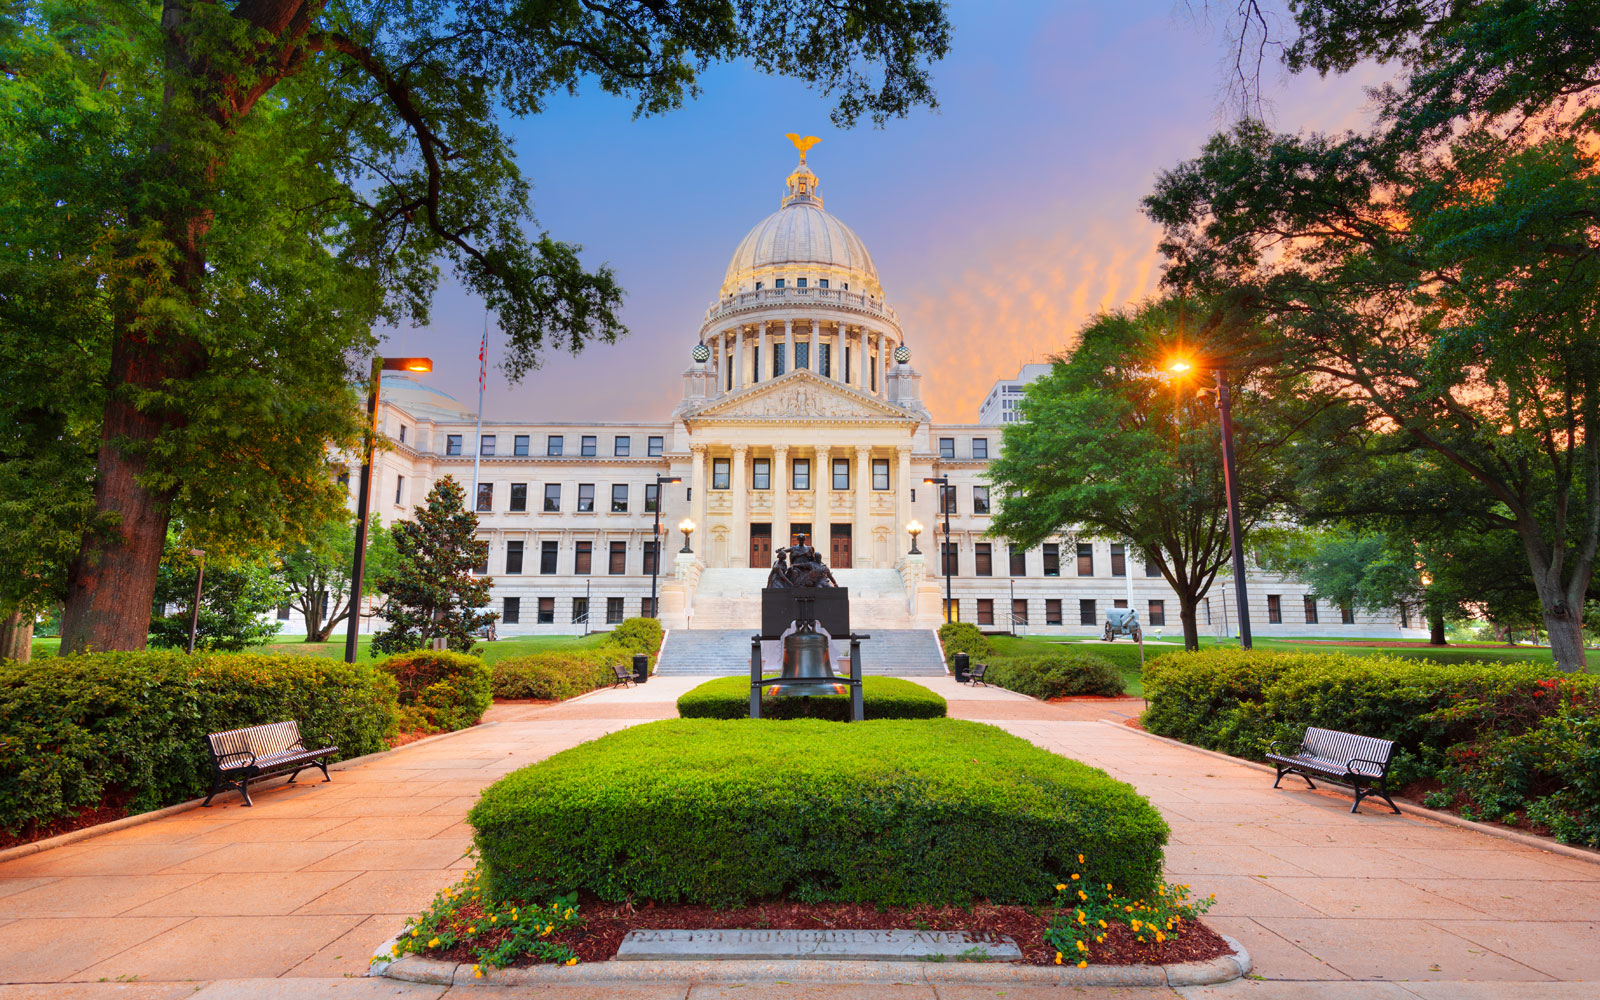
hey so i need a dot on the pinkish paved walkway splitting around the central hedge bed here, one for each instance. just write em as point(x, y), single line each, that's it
point(290, 898)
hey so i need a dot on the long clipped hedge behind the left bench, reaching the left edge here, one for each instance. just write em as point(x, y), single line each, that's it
point(78, 729)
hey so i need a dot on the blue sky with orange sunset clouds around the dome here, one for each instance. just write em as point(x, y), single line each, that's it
point(1001, 222)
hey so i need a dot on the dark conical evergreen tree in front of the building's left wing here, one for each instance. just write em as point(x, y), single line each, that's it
point(433, 591)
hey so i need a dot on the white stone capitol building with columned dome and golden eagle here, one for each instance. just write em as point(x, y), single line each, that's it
point(801, 414)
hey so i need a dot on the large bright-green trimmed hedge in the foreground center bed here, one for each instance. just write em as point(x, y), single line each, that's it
point(879, 812)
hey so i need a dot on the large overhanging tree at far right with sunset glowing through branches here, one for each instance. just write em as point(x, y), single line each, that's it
point(1441, 273)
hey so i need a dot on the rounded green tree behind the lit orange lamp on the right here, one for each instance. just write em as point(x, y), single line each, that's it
point(1111, 447)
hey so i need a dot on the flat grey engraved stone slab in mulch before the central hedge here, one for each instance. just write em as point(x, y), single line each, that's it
point(865, 946)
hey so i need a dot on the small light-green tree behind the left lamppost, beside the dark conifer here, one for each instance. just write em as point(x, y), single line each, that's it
point(318, 572)
